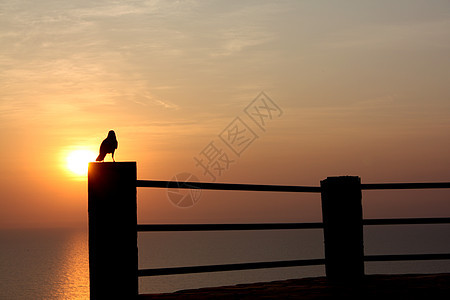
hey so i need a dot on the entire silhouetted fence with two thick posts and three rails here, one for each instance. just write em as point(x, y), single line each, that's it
point(113, 228)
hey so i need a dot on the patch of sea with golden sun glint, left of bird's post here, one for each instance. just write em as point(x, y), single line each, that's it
point(44, 264)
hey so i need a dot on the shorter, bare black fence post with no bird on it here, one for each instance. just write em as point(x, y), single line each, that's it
point(343, 229)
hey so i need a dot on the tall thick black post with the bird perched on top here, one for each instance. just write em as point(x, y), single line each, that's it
point(113, 256)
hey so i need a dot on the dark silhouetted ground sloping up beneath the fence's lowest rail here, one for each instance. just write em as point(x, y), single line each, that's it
point(429, 286)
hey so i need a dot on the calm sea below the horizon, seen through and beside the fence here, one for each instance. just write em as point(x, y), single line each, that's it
point(54, 264)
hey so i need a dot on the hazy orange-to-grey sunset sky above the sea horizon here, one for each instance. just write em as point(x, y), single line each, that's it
point(352, 88)
